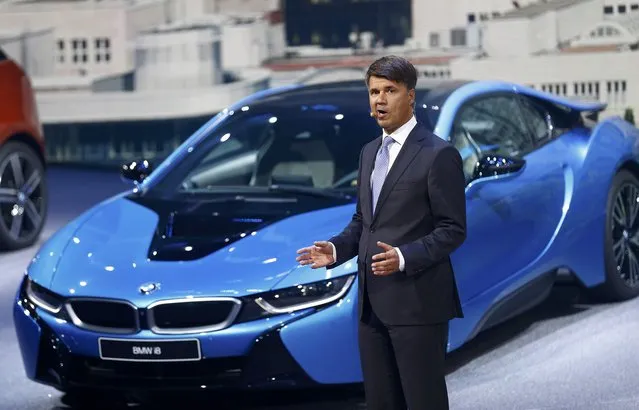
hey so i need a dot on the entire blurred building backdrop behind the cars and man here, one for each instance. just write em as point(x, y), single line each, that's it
point(122, 77)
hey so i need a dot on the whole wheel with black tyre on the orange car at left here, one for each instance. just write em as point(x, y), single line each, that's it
point(23, 196)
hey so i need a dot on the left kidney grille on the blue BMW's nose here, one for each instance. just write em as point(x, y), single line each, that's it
point(108, 316)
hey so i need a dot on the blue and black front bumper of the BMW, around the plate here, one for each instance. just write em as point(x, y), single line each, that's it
point(280, 352)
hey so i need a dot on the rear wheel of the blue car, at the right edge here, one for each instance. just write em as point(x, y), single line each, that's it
point(622, 238)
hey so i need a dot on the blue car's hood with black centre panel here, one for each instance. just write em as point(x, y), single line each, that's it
point(220, 249)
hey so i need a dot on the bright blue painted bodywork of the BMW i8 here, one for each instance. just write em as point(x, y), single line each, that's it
point(549, 215)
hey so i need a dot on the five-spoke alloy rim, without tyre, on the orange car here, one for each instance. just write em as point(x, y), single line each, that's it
point(21, 197)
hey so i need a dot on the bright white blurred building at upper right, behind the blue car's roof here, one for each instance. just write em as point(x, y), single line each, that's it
point(571, 48)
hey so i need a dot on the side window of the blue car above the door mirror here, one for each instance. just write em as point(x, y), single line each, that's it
point(492, 125)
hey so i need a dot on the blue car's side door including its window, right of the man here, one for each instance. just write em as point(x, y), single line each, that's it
point(511, 217)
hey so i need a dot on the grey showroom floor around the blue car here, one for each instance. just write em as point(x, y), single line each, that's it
point(565, 354)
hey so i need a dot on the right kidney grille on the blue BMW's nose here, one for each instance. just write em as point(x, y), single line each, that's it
point(192, 315)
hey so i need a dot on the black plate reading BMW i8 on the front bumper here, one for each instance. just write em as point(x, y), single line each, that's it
point(132, 350)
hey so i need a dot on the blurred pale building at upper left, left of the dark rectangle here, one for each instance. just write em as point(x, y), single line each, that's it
point(117, 79)
